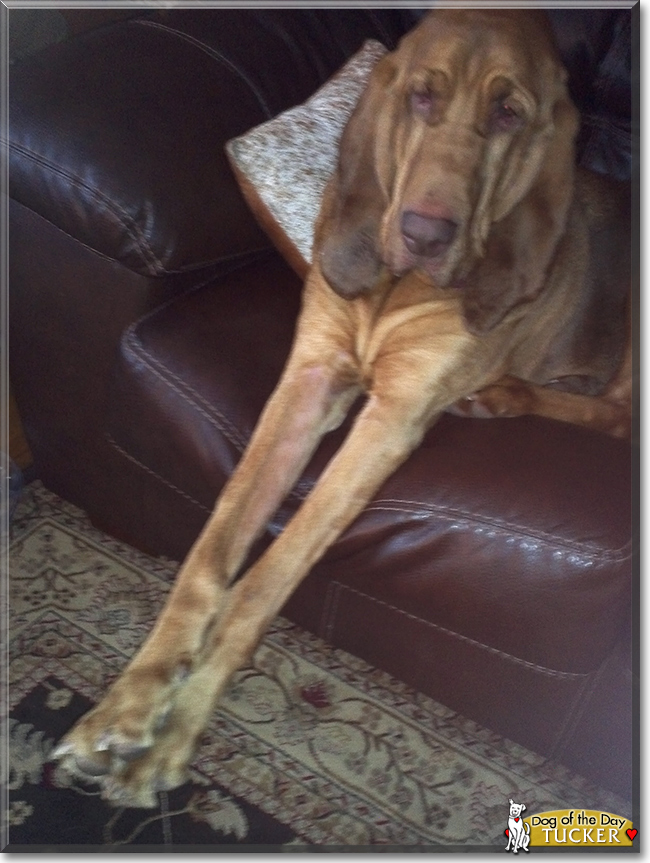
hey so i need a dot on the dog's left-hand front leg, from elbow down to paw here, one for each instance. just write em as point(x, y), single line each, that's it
point(313, 397)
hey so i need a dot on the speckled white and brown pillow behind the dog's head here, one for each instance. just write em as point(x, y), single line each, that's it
point(283, 165)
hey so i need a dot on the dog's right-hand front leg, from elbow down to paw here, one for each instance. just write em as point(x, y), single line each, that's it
point(387, 430)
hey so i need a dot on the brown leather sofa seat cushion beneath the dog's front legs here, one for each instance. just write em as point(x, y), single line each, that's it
point(514, 533)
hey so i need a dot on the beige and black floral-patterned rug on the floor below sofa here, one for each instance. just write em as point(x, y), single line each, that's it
point(310, 746)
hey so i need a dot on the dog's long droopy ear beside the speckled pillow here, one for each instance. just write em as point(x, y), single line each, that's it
point(347, 240)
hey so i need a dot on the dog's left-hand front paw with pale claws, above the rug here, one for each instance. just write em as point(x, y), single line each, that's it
point(123, 726)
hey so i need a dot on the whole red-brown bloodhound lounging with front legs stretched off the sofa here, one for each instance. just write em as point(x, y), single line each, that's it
point(461, 261)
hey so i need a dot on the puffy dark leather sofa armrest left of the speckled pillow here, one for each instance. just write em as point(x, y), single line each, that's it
point(116, 148)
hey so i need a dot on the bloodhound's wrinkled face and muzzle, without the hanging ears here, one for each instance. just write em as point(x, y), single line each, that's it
point(476, 98)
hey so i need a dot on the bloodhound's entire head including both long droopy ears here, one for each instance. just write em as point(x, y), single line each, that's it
point(457, 127)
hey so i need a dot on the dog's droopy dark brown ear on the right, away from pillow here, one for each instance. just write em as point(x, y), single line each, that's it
point(520, 246)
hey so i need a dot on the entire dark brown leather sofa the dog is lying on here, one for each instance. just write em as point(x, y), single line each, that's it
point(150, 320)
